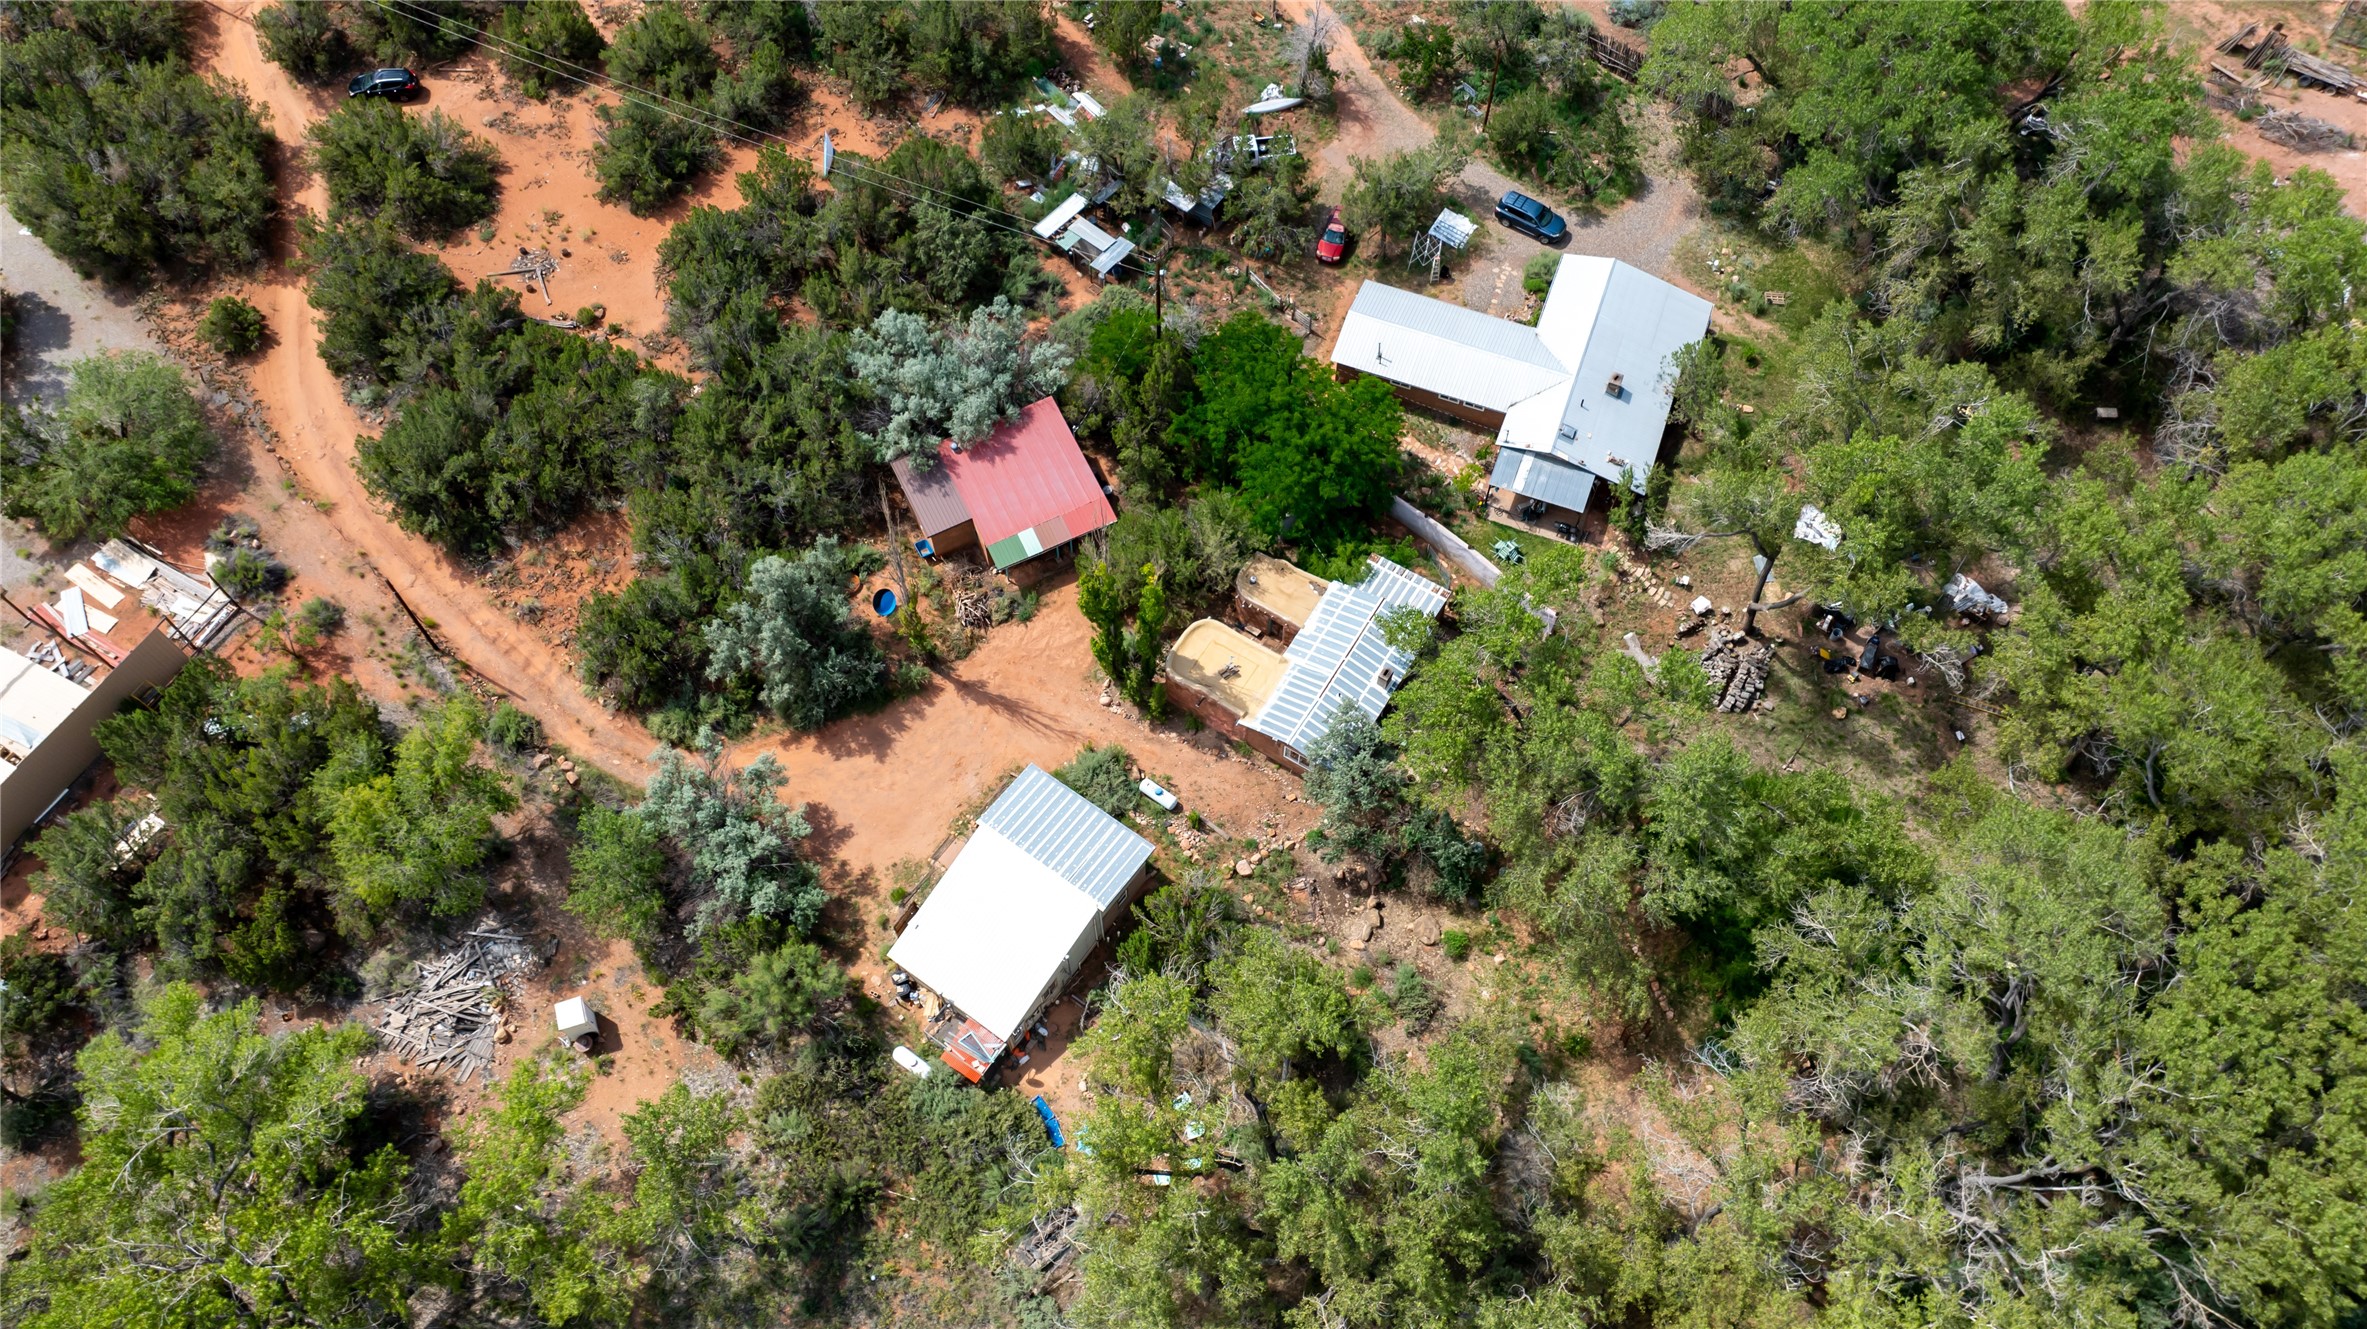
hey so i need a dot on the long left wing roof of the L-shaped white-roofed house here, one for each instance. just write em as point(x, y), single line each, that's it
point(1445, 349)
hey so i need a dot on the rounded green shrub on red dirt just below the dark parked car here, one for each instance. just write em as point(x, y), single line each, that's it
point(425, 174)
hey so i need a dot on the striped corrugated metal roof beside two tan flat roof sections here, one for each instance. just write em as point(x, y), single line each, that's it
point(1341, 655)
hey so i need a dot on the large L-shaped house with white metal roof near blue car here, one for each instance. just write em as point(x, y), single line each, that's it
point(1578, 399)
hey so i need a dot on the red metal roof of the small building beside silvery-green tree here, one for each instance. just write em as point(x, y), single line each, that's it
point(1028, 475)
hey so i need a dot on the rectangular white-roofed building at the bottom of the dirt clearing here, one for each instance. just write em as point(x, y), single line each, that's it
point(1019, 911)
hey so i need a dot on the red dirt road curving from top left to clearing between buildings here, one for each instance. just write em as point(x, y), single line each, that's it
point(886, 785)
